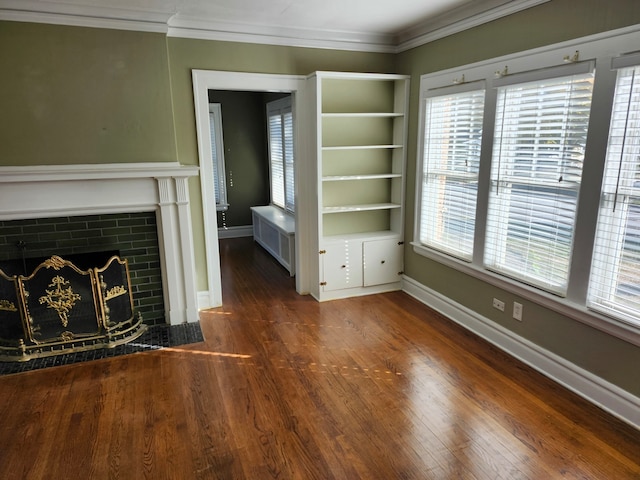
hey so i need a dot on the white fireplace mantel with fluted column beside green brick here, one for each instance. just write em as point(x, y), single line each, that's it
point(70, 190)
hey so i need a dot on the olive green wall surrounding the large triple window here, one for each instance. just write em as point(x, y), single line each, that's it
point(552, 22)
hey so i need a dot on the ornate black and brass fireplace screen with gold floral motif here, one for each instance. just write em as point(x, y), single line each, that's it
point(60, 308)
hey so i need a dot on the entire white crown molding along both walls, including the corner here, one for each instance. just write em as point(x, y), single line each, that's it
point(181, 26)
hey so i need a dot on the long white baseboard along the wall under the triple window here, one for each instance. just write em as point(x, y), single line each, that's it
point(596, 390)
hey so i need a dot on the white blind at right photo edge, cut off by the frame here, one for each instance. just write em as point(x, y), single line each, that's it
point(615, 275)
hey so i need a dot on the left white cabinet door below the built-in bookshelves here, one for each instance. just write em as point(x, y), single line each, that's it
point(342, 265)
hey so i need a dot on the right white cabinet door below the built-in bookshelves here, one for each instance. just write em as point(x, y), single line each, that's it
point(382, 262)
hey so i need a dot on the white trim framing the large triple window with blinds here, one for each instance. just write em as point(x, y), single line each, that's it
point(602, 49)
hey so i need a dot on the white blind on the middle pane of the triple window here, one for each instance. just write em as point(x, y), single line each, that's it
point(538, 153)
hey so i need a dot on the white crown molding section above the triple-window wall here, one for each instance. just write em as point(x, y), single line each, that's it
point(459, 20)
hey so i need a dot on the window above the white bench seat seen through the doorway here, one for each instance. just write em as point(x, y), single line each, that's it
point(281, 159)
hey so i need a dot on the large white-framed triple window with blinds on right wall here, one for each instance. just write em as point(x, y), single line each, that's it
point(528, 177)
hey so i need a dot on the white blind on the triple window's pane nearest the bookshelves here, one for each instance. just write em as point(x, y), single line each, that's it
point(451, 160)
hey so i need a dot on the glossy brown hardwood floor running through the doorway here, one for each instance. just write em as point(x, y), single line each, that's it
point(285, 387)
